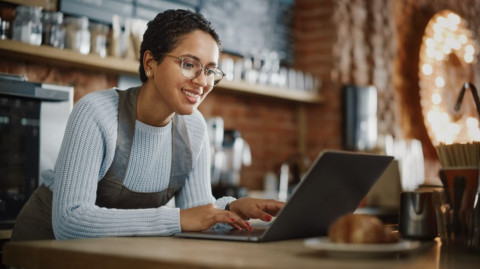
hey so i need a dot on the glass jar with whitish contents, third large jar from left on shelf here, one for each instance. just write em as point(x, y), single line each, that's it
point(77, 34)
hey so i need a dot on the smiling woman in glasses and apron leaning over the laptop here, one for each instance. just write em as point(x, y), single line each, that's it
point(125, 154)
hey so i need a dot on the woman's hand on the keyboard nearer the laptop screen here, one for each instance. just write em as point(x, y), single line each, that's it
point(256, 208)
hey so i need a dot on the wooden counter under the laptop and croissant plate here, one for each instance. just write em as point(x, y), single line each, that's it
point(168, 252)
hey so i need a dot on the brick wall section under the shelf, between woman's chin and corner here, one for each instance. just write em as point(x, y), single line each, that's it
point(268, 125)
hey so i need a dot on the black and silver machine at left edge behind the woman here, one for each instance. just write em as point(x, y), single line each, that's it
point(33, 117)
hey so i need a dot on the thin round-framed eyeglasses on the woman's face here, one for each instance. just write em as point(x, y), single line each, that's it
point(192, 68)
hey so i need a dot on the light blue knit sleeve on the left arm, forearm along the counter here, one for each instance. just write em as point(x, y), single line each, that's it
point(77, 172)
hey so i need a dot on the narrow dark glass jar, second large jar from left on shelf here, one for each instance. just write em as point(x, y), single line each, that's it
point(53, 32)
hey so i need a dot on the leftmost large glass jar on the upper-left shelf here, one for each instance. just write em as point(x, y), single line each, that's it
point(27, 26)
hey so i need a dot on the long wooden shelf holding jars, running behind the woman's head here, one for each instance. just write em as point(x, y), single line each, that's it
point(47, 54)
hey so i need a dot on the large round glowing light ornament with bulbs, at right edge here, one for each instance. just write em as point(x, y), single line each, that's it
point(446, 35)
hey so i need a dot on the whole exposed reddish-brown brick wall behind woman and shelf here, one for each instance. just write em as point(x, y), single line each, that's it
point(363, 42)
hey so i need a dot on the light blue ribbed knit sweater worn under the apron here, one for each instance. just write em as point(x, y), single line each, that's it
point(86, 154)
